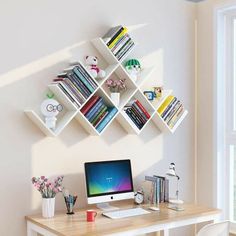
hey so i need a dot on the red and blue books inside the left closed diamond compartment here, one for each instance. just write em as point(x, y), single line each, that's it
point(97, 112)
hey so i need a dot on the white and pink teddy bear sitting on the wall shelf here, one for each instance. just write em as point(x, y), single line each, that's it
point(91, 65)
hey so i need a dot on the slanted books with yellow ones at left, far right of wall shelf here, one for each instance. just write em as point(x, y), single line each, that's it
point(171, 110)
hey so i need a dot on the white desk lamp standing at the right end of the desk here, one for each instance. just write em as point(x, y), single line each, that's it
point(175, 202)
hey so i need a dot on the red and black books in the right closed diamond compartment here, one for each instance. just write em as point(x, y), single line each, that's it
point(137, 113)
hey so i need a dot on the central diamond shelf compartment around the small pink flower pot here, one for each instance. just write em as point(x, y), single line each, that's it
point(125, 95)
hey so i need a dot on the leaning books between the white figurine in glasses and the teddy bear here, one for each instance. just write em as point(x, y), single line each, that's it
point(76, 83)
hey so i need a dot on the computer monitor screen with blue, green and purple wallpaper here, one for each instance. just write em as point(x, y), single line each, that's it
point(108, 177)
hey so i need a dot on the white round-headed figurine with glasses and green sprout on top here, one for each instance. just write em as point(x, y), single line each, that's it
point(50, 108)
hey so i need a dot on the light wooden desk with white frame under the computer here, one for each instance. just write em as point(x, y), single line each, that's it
point(76, 225)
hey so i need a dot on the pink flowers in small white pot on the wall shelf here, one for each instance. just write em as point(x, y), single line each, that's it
point(116, 87)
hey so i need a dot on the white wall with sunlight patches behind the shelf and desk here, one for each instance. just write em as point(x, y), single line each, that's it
point(35, 36)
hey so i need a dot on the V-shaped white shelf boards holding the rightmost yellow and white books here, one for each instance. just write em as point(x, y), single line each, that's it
point(163, 126)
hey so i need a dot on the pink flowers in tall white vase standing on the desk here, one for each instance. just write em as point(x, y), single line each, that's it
point(48, 190)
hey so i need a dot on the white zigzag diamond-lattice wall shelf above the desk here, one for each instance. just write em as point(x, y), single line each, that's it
point(134, 90)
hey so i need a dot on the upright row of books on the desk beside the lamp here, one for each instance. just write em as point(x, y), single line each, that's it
point(160, 189)
